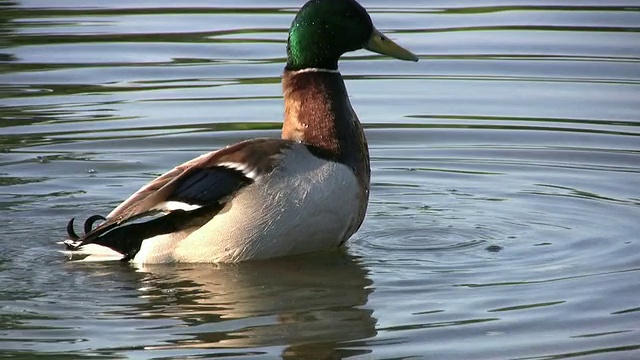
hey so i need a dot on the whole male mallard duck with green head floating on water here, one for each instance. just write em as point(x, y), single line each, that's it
point(262, 198)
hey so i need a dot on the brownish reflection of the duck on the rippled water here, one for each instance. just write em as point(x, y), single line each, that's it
point(310, 305)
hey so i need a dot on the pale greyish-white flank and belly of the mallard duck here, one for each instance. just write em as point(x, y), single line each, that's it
point(308, 204)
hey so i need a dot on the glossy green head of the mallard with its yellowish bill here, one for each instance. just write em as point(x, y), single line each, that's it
point(323, 30)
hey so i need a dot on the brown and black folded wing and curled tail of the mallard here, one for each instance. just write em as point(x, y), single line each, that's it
point(188, 195)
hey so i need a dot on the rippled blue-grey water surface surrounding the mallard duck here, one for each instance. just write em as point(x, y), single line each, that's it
point(504, 220)
